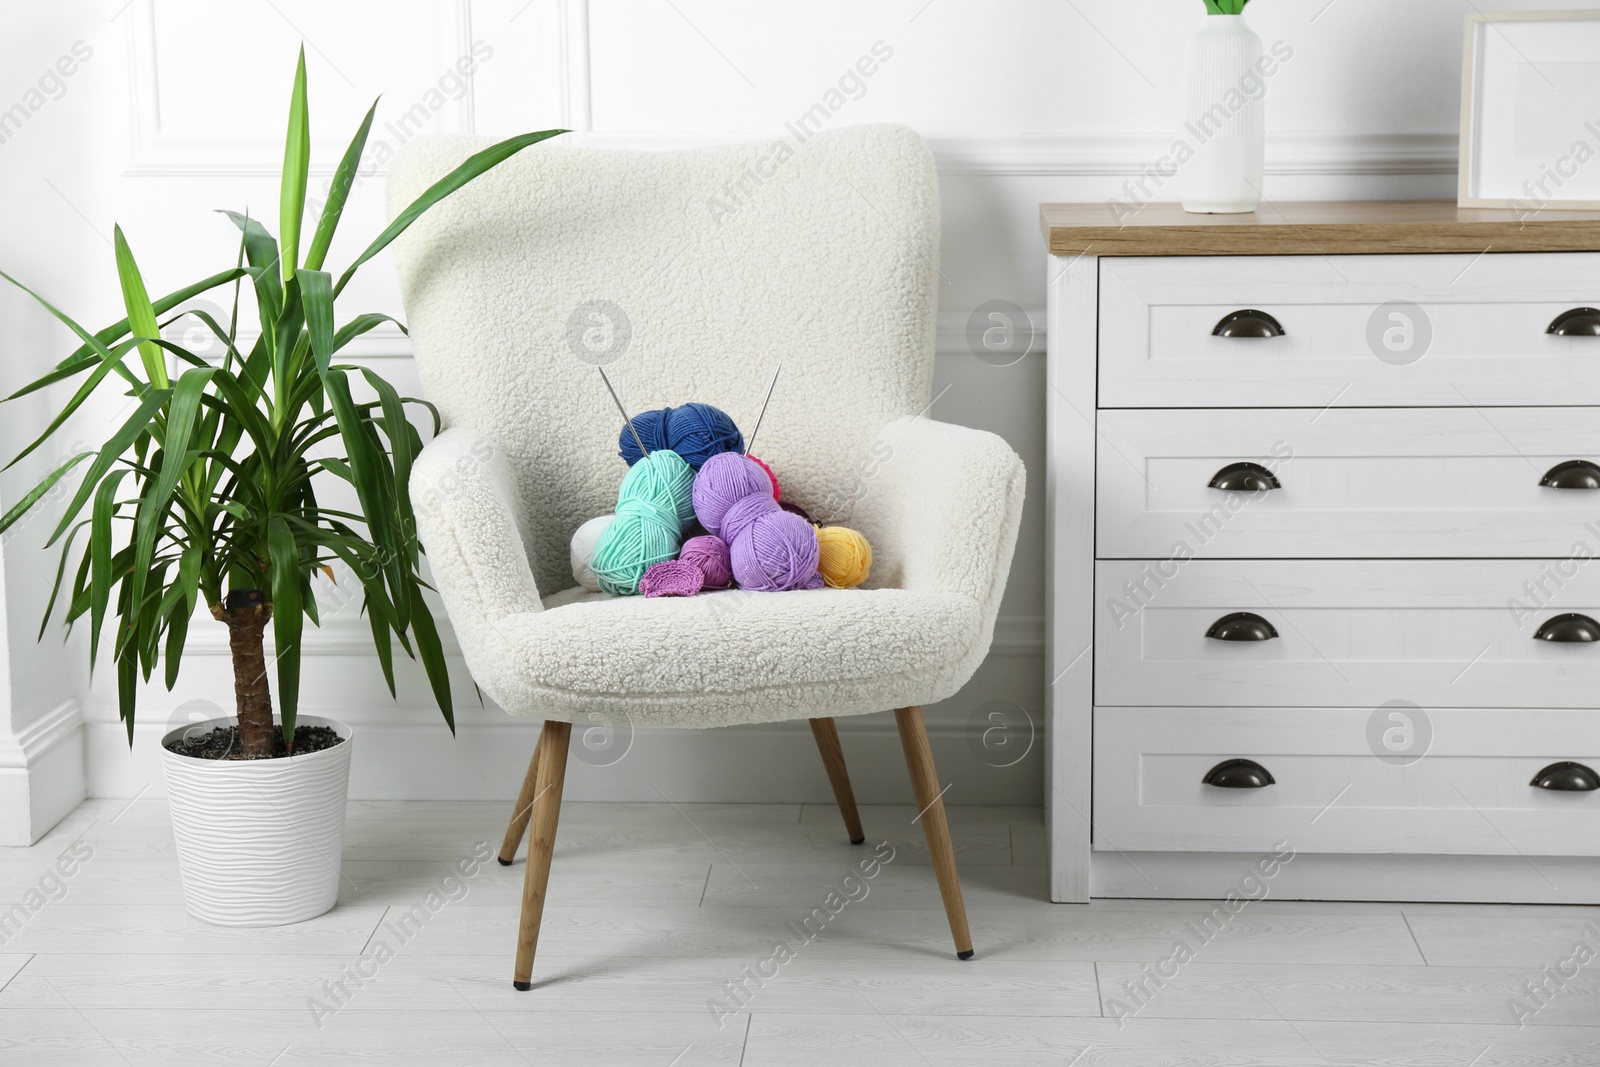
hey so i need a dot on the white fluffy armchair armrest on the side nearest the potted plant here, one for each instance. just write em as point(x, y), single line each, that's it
point(468, 518)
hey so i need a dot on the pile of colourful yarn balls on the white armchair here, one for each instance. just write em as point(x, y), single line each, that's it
point(697, 471)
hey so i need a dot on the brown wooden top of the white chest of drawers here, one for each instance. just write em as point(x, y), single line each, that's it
point(1327, 228)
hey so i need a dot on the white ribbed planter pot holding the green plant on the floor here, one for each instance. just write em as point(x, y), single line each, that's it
point(260, 841)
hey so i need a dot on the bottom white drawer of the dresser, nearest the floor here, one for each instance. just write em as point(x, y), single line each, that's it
point(1470, 794)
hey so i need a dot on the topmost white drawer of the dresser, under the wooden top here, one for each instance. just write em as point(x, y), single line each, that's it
point(1479, 335)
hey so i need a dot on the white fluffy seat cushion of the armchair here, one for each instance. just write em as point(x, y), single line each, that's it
point(737, 657)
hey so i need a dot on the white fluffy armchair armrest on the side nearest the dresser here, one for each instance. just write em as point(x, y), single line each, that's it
point(942, 506)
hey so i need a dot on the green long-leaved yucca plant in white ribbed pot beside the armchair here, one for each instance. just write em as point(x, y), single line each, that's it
point(210, 498)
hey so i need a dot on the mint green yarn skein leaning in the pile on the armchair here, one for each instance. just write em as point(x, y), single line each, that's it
point(654, 510)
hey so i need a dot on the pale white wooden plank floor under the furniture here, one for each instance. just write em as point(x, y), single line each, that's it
point(655, 908)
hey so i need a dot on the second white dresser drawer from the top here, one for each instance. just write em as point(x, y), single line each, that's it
point(1370, 482)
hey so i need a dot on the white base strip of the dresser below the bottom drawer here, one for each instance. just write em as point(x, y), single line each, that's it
point(1351, 877)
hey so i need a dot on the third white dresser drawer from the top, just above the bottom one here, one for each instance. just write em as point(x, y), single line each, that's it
point(1348, 633)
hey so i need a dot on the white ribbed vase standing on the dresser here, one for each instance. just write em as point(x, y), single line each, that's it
point(1223, 118)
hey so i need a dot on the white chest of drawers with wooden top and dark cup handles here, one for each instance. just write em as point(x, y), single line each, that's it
point(1324, 506)
